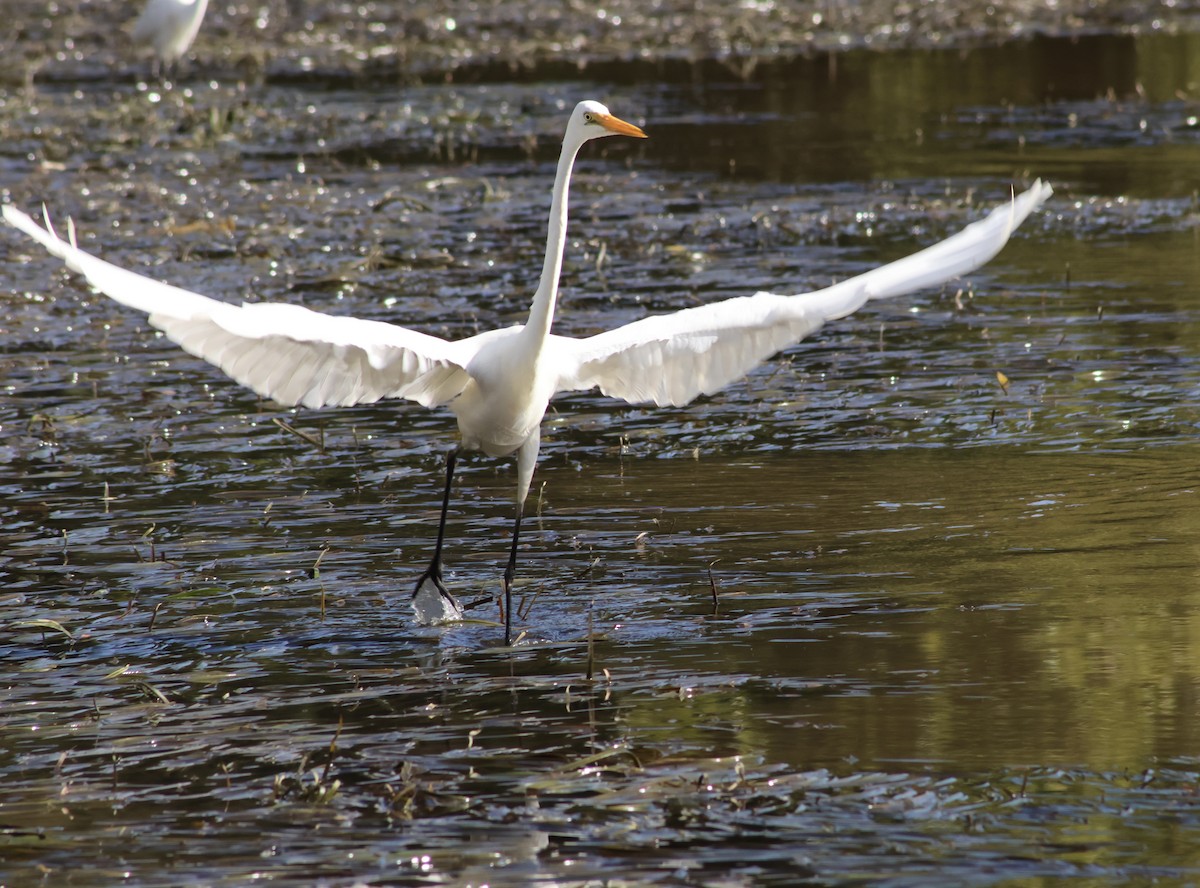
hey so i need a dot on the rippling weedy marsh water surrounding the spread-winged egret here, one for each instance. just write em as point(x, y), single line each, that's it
point(956, 621)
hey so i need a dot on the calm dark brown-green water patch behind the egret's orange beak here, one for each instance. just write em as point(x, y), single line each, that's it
point(1063, 107)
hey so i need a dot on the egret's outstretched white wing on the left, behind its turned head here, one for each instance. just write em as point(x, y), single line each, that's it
point(285, 352)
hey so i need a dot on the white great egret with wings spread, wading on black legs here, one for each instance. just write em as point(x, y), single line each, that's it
point(500, 383)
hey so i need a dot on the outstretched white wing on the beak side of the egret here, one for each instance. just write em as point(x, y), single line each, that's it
point(671, 359)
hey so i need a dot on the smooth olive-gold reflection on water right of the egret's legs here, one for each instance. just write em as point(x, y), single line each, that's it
point(891, 619)
